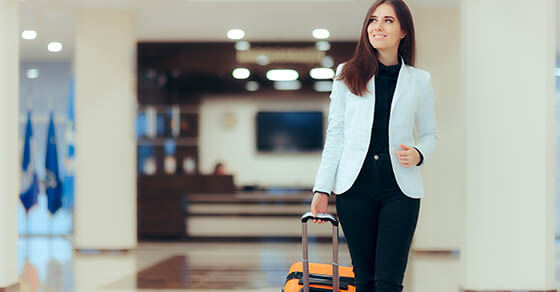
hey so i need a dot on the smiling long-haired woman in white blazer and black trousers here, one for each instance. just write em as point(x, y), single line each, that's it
point(370, 159)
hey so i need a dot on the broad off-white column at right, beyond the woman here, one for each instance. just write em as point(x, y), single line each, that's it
point(508, 60)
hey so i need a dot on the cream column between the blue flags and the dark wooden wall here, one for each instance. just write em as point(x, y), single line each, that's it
point(105, 209)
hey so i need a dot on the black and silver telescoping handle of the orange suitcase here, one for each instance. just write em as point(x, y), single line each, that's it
point(334, 222)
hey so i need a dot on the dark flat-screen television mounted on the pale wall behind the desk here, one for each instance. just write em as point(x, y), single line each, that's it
point(289, 131)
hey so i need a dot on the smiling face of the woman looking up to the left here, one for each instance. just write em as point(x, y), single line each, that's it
point(384, 29)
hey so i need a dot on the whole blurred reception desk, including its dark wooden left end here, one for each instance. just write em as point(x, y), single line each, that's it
point(207, 208)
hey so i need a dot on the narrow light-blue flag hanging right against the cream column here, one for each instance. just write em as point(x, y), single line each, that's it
point(68, 189)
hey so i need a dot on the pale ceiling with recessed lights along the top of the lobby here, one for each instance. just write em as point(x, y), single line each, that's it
point(198, 20)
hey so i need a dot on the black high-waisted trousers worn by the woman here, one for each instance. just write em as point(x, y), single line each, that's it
point(378, 221)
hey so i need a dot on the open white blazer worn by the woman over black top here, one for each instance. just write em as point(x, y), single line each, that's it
point(350, 124)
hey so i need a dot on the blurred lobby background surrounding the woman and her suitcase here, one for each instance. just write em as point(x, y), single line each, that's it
point(173, 145)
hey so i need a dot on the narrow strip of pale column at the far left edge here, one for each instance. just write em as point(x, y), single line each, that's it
point(9, 137)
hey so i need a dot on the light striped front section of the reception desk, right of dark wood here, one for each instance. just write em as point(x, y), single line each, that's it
point(252, 216)
